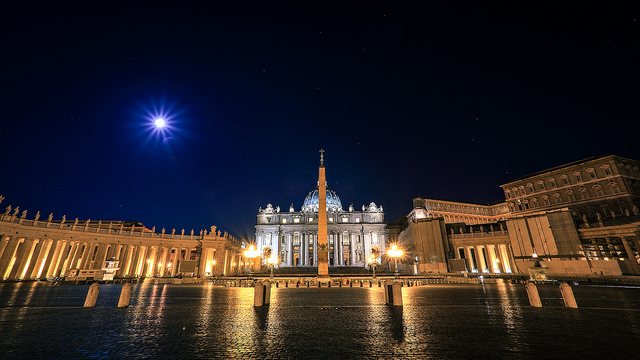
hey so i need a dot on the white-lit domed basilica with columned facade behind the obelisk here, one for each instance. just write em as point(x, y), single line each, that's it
point(353, 235)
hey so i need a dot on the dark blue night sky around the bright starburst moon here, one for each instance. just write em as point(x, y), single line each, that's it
point(442, 100)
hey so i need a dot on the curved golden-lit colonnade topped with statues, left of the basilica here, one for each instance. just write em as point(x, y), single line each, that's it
point(34, 249)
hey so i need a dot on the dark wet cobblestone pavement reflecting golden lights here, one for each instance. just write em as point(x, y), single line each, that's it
point(41, 321)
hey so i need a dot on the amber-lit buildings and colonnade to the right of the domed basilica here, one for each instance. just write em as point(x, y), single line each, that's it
point(577, 219)
